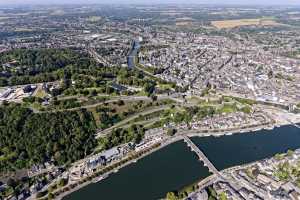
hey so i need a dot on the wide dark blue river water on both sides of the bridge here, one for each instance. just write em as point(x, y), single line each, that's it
point(175, 166)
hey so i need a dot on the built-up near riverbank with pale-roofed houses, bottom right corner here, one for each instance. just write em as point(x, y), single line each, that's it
point(256, 178)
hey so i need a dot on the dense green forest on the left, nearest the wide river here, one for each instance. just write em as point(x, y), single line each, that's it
point(28, 138)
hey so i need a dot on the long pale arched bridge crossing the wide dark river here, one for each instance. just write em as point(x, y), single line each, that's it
point(201, 156)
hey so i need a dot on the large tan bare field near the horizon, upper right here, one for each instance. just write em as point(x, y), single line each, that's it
point(243, 22)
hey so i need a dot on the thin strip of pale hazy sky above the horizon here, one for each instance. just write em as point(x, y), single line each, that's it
point(252, 2)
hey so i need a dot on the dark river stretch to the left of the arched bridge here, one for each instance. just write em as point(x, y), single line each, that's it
point(150, 177)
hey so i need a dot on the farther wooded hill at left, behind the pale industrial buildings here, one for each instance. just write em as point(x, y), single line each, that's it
point(23, 66)
